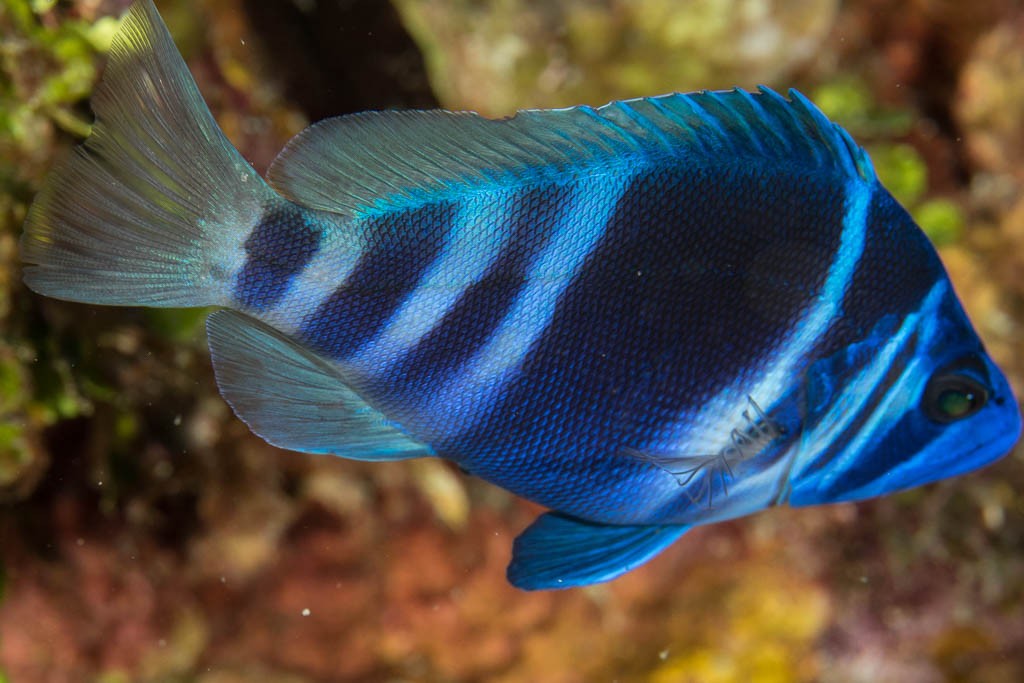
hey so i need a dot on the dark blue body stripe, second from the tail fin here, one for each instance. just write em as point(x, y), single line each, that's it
point(402, 247)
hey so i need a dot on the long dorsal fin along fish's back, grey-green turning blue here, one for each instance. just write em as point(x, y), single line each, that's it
point(378, 161)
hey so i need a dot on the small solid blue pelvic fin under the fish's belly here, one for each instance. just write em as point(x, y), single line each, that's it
point(558, 551)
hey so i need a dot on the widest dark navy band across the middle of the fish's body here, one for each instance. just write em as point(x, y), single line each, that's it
point(678, 301)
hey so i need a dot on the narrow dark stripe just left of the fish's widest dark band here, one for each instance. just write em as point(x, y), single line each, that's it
point(479, 312)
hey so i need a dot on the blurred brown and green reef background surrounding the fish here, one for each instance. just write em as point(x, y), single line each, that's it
point(146, 535)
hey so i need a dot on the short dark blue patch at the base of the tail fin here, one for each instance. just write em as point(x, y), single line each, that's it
point(278, 249)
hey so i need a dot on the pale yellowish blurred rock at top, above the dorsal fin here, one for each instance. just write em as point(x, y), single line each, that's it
point(496, 58)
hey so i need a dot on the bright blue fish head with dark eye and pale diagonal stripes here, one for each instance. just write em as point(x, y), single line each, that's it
point(916, 402)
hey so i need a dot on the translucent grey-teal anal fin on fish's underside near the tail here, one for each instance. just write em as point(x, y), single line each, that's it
point(295, 400)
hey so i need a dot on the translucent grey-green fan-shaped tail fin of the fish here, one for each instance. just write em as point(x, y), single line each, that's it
point(153, 208)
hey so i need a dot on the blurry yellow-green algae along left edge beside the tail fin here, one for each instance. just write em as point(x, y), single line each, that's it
point(49, 68)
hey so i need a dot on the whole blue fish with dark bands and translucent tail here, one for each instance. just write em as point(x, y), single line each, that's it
point(654, 315)
